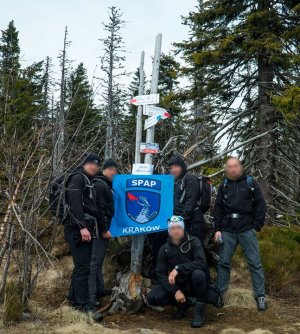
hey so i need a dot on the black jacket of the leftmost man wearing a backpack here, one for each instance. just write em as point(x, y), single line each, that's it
point(80, 198)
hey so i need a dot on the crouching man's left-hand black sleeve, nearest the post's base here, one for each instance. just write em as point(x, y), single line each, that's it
point(162, 272)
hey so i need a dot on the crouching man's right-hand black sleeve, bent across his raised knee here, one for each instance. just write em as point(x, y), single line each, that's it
point(199, 259)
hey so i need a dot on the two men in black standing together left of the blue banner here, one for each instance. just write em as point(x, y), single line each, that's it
point(89, 200)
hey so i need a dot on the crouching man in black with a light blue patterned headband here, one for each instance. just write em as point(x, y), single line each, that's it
point(181, 271)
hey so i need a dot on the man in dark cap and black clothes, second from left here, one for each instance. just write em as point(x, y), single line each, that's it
point(106, 210)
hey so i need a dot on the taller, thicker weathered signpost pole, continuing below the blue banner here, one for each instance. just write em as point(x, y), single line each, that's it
point(137, 245)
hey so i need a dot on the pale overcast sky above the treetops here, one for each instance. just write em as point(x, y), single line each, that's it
point(41, 24)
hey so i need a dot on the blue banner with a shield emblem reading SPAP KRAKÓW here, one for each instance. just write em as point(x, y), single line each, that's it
point(143, 204)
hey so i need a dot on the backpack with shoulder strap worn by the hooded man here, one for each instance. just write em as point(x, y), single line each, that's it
point(206, 191)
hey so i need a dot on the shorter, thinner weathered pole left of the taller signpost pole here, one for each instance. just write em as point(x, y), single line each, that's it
point(139, 116)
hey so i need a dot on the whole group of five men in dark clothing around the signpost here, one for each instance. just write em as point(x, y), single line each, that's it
point(182, 273)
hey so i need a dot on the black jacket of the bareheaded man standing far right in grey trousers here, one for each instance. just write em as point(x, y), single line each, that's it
point(248, 204)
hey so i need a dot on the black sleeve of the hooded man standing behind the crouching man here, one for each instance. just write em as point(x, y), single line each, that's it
point(192, 189)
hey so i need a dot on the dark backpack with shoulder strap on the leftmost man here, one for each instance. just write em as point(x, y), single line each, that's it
point(57, 197)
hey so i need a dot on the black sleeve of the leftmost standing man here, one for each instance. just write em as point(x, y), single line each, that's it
point(75, 189)
